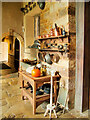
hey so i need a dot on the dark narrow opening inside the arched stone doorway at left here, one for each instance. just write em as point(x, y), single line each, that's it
point(16, 54)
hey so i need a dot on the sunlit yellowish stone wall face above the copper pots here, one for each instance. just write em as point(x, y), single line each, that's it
point(54, 12)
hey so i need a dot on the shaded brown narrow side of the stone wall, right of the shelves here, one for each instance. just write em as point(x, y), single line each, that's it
point(72, 57)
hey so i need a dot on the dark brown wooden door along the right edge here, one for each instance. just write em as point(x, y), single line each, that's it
point(86, 69)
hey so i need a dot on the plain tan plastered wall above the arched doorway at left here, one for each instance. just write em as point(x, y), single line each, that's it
point(12, 17)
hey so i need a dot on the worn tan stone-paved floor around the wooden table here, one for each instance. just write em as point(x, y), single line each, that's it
point(13, 106)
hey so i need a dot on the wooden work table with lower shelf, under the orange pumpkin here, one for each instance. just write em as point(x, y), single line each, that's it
point(35, 83)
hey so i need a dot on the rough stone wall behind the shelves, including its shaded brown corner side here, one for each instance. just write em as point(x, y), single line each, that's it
point(62, 13)
